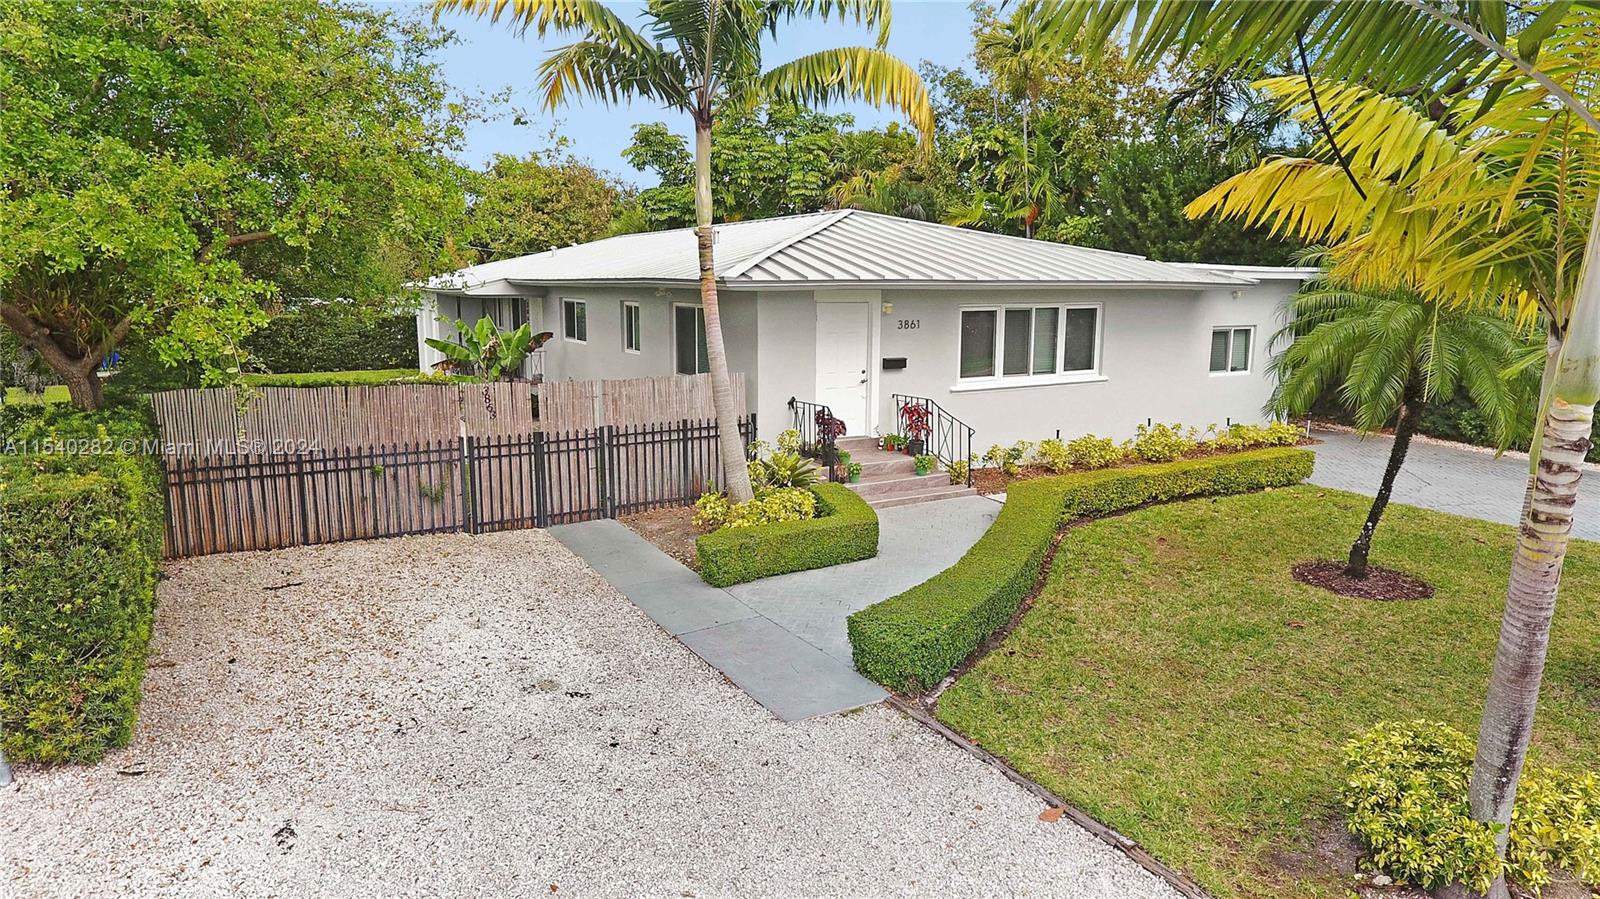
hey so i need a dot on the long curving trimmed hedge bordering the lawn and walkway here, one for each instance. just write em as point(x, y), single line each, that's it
point(913, 641)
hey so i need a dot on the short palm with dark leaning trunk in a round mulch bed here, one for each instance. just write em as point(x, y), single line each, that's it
point(1390, 353)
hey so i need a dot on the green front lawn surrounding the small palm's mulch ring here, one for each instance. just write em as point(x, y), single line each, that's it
point(1177, 684)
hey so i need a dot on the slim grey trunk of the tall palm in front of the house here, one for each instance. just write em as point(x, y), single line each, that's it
point(735, 473)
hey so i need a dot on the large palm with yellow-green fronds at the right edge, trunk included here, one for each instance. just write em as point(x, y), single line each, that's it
point(1497, 204)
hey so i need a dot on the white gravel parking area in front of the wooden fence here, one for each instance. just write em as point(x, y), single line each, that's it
point(463, 716)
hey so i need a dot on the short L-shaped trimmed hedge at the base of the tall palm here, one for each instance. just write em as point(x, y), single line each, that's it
point(846, 530)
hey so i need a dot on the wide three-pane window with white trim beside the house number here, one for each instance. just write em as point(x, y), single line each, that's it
point(1030, 342)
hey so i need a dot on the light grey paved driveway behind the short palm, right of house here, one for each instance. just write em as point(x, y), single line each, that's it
point(1446, 479)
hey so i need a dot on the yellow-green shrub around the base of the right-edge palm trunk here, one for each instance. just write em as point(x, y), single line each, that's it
point(1406, 797)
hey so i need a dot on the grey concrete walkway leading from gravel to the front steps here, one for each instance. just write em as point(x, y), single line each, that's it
point(783, 639)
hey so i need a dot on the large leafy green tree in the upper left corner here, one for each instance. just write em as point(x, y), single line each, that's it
point(172, 167)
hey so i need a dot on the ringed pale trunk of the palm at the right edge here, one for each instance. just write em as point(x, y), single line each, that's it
point(1537, 565)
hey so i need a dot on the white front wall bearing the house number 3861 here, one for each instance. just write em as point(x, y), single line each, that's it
point(1154, 362)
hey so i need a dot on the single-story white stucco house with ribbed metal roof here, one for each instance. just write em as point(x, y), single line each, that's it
point(1017, 338)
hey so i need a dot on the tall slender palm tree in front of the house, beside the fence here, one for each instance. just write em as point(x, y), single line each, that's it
point(700, 57)
